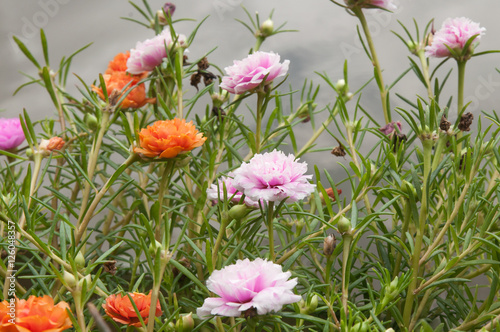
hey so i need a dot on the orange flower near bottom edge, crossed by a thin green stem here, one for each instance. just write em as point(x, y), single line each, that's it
point(122, 311)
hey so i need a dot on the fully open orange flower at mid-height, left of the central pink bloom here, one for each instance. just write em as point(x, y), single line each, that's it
point(166, 139)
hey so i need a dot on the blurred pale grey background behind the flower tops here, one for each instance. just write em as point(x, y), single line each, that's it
point(326, 38)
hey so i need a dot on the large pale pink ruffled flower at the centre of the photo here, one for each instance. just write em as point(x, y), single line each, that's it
point(272, 176)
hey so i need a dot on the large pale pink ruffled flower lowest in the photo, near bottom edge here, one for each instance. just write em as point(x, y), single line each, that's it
point(248, 284)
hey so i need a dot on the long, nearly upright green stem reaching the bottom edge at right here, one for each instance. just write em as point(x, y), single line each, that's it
point(427, 145)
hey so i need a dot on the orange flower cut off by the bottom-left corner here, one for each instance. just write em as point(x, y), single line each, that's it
point(37, 314)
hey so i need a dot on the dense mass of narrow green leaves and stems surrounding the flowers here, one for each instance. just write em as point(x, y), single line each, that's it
point(417, 221)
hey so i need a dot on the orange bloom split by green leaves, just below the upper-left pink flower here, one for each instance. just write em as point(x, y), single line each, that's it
point(117, 81)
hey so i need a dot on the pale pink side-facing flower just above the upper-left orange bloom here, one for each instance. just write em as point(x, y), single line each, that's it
point(150, 53)
